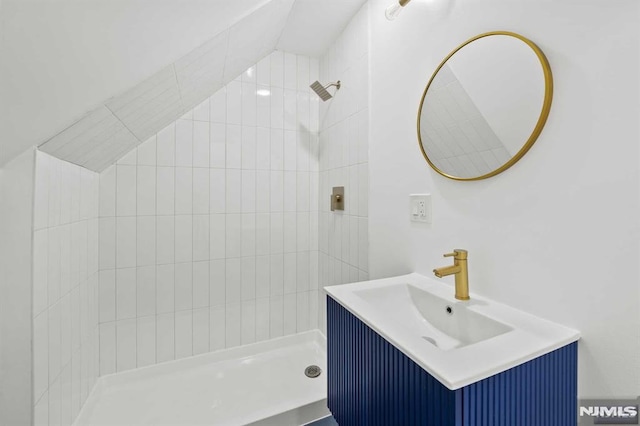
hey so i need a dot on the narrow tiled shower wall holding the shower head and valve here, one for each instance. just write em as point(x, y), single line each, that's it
point(344, 123)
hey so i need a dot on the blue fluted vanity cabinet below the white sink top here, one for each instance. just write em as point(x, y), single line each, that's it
point(371, 383)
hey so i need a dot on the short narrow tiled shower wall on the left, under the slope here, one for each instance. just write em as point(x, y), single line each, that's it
point(65, 289)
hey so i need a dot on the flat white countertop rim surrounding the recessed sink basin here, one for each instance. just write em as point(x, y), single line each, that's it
point(529, 338)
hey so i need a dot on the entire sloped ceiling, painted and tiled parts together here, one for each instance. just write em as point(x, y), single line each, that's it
point(63, 60)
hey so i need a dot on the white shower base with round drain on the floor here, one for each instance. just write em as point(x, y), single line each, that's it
point(260, 385)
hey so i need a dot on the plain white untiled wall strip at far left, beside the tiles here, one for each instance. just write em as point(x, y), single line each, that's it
point(16, 226)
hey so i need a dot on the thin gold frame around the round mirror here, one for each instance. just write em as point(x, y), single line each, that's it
point(542, 119)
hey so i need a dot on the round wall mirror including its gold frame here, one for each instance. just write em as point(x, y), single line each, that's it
point(484, 106)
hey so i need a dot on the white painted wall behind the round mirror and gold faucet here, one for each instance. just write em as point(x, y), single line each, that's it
point(557, 234)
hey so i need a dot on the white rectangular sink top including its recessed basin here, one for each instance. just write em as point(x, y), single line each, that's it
point(457, 342)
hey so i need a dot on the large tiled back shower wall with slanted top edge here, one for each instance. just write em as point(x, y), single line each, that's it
point(209, 230)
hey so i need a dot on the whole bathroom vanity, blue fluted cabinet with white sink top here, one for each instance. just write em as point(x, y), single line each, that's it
point(403, 351)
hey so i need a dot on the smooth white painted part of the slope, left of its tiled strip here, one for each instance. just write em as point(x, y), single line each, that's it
point(68, 57)
